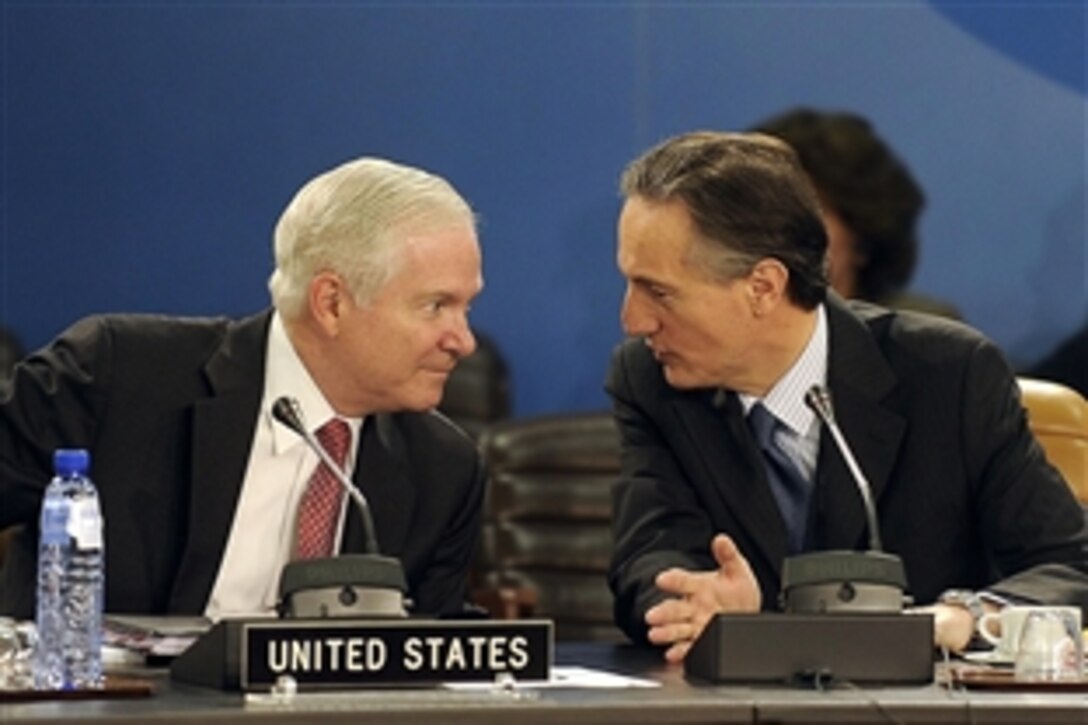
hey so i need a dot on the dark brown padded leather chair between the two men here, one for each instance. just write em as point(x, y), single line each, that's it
point(548, 524)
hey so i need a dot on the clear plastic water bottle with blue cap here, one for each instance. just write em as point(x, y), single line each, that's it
point(71, 580)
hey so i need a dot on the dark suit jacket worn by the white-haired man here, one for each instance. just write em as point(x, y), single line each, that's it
point(168, 409)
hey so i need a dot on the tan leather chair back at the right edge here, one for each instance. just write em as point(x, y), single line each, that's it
point(1058, 415)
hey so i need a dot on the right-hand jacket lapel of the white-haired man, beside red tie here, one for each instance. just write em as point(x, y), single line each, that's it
point(384, 476)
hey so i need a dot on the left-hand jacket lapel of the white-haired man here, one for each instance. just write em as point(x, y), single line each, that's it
point(222, 434)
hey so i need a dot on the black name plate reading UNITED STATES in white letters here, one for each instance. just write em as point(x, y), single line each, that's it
point(347, 654)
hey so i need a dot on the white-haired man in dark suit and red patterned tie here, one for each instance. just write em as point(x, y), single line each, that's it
point(203, 490)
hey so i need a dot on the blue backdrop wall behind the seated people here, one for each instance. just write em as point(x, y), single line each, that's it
point(149, 148)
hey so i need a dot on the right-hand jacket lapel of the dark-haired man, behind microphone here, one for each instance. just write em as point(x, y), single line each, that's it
point(861, 382)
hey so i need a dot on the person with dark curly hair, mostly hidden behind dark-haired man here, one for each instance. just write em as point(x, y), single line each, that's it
point(871, 204)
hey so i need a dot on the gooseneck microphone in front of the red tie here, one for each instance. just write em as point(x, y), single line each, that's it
point(350, 585)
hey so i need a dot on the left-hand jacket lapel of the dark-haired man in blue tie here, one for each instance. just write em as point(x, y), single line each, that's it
point(732, 461)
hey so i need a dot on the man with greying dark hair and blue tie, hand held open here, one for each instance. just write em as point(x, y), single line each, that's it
point(725, 470)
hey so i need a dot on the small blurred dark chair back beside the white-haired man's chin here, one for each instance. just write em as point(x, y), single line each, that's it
point(478, 391)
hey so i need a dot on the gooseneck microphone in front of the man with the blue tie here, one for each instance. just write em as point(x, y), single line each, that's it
point(844, 582)
